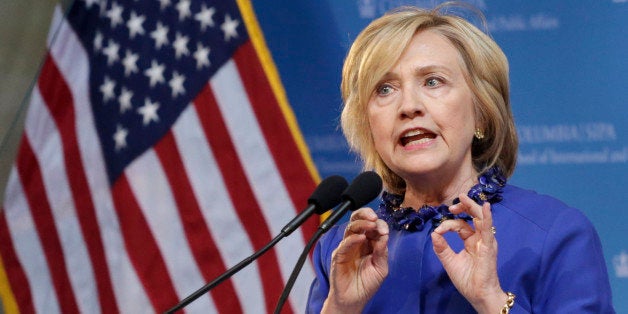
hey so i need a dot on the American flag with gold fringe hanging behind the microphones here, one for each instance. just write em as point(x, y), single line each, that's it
point(159, 150)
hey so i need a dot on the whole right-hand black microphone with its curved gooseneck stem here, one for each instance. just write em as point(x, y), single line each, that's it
point(363, 189)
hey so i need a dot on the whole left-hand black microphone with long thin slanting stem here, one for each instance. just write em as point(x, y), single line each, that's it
point(326, 195)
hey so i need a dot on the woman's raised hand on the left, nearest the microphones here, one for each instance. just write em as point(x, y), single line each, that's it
point(359, 264)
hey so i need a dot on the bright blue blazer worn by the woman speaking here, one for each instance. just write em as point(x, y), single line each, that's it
point(549, 256)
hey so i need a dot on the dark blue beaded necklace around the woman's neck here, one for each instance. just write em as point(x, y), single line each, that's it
point(488, 189)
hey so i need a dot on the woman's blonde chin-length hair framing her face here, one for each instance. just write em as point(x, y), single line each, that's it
point(378, 47)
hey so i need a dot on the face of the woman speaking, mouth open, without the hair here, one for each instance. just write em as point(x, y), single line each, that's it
point(421, 112)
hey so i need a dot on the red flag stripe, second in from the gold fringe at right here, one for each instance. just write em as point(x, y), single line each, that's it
point(240, 192)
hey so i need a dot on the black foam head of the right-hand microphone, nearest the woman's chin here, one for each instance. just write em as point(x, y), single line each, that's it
point(363, 189)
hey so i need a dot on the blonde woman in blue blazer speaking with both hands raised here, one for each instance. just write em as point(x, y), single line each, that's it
point(427, 106)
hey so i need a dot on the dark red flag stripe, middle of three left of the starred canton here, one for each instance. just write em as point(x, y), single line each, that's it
point(30, 174)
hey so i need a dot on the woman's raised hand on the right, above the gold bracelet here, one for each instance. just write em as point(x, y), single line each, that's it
point(473, 271)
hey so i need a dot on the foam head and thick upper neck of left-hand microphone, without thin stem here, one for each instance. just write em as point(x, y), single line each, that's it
point(326, 196)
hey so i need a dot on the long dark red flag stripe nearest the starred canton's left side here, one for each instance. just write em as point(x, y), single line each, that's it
point(58, 99)
